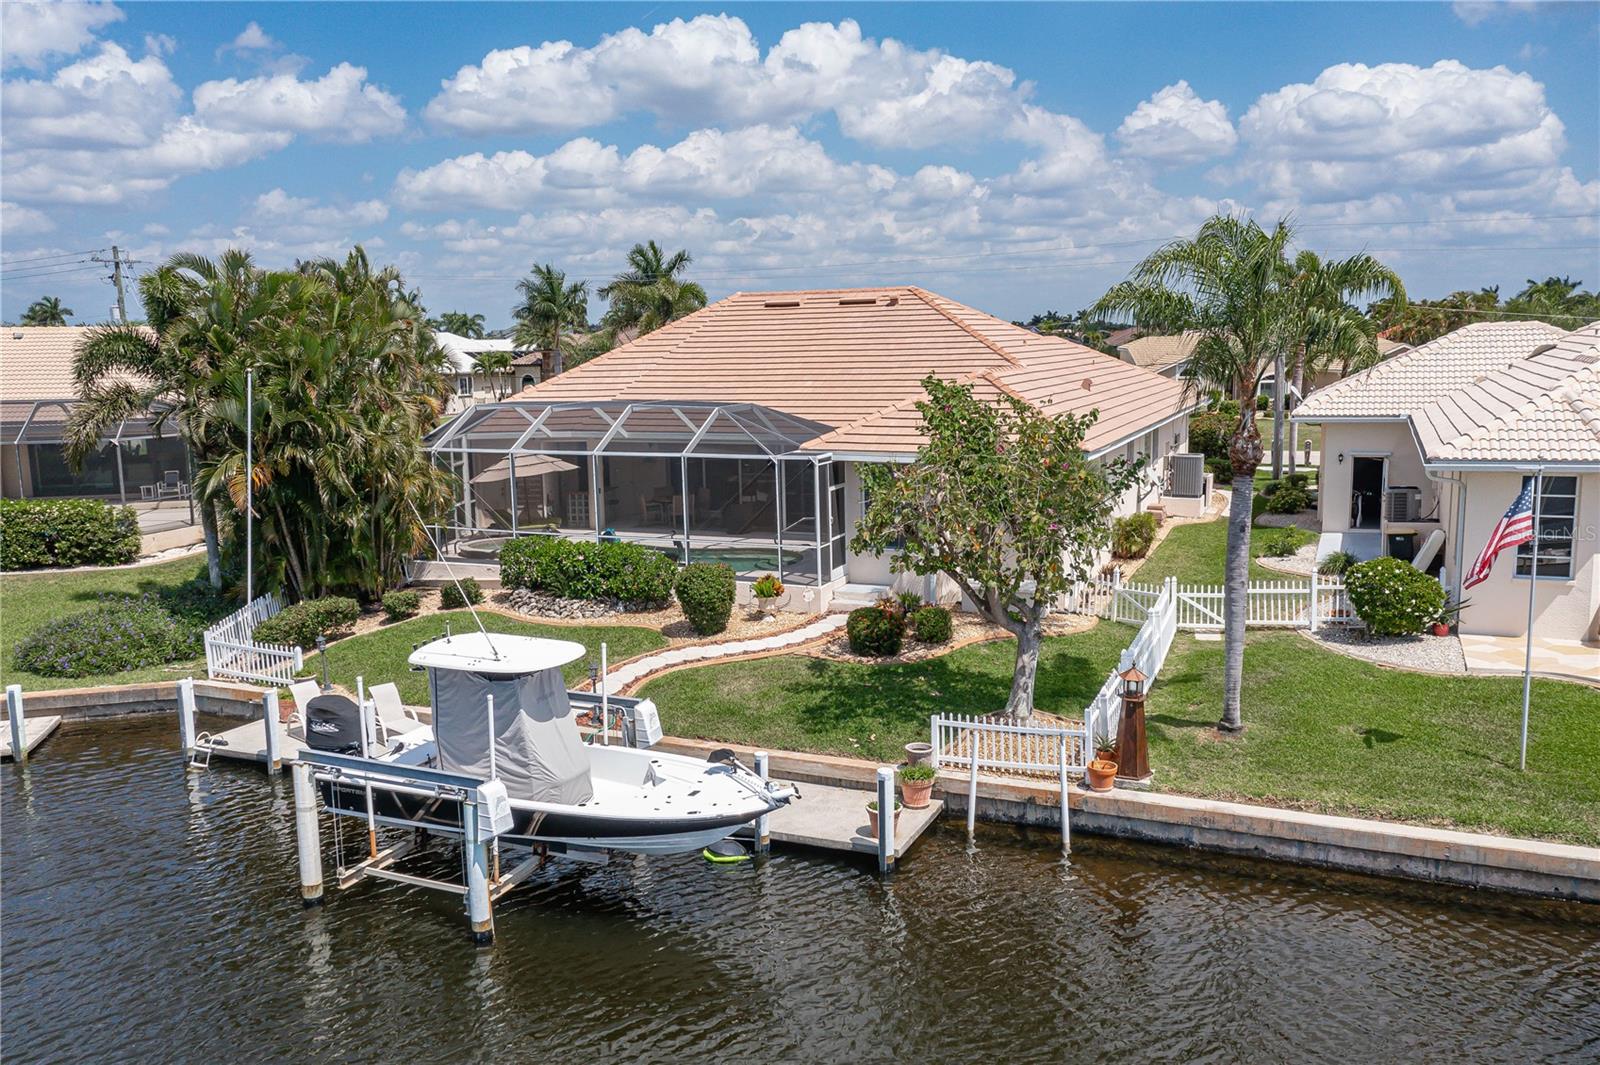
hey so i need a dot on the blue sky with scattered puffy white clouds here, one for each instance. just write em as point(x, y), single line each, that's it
point(1015, 158)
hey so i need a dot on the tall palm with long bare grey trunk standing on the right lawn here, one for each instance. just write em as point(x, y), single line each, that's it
point(1226, 284)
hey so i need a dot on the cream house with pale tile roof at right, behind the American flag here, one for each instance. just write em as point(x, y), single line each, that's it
point(1428, 450)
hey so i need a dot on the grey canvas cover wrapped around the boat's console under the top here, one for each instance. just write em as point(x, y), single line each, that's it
point(538, 752)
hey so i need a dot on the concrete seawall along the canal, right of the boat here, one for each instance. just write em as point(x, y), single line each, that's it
point(1554, 871)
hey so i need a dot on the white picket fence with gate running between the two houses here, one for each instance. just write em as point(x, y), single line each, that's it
point(1310, 604)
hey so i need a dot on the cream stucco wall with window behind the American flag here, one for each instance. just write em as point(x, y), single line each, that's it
point(1564, 610)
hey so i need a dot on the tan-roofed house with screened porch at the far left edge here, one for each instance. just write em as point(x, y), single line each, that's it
point(38, 394)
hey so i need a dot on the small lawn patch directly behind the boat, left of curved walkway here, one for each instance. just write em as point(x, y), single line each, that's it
point(382, 656)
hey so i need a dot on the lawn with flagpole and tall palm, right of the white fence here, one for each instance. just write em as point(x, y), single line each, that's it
point(1326, 732)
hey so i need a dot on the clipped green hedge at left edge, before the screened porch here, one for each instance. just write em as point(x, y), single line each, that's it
point(66, 533)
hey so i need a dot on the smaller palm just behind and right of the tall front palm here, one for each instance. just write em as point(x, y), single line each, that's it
point(1326, 329)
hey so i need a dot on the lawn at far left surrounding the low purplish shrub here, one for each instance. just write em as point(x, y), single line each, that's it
point(28, 600)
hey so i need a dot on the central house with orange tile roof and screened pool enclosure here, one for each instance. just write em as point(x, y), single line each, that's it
point(737, 434)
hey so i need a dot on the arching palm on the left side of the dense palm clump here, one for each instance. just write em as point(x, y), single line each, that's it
point(207, 321)
